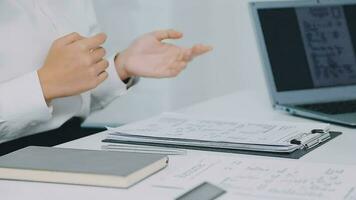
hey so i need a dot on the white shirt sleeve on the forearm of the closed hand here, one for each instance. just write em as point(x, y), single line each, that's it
point(22, 106)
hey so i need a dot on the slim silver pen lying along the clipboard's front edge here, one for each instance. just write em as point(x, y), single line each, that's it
point(143, 149)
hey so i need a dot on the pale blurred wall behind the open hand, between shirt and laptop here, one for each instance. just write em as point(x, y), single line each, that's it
point(226, 24)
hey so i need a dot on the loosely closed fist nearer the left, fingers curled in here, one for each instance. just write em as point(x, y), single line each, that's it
point(73, 65)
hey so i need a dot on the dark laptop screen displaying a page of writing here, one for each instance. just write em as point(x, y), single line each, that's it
point(310, 47)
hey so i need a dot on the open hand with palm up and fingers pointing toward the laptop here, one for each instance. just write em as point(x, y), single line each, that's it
point(148, 56)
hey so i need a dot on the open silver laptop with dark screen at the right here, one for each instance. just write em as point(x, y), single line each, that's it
point(308, 53)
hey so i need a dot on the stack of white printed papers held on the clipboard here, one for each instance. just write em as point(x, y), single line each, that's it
point(178, 126)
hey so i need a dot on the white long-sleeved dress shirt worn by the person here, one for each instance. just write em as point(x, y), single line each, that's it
point(27, 30)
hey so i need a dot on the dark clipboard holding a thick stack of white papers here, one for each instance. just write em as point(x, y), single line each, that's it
point(183, 130)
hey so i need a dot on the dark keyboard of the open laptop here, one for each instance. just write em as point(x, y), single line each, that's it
point(332, 108)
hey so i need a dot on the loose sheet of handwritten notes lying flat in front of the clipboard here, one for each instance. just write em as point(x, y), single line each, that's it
point(246, 178)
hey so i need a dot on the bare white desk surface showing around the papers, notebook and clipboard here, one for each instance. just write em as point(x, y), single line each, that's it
point(247, 105)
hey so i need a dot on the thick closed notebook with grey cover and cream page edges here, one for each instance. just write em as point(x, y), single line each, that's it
point(84, 167)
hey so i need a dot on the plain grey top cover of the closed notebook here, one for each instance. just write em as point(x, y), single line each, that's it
point(111, 163)
